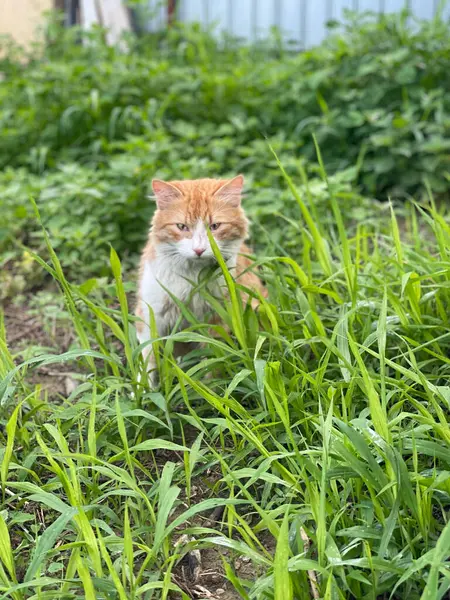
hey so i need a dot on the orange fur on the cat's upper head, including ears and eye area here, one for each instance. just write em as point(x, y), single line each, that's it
point(211, 201)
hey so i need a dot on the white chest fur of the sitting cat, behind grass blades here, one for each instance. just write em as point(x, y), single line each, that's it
point(159, 278)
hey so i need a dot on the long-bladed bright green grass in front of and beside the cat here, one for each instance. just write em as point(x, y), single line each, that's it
point(327, 414)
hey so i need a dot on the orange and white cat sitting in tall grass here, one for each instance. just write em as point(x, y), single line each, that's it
point(178, 249)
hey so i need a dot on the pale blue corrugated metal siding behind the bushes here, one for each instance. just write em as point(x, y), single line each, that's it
point(303, 21)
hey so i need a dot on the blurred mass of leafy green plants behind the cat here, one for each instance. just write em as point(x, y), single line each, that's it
point(86, 126)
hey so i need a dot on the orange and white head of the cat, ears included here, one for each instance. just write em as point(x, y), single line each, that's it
point(186, 209)
